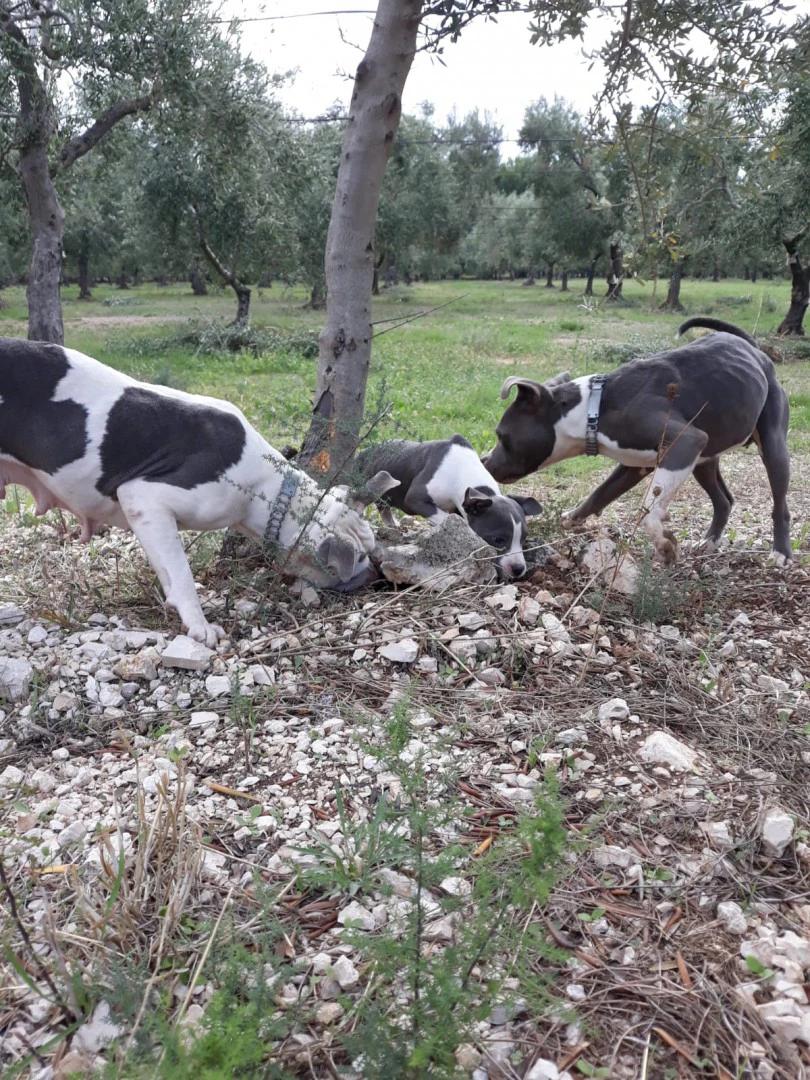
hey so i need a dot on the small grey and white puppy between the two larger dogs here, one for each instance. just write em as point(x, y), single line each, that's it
point(447, 477)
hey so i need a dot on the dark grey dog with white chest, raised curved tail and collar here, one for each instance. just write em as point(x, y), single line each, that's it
point(673, 414)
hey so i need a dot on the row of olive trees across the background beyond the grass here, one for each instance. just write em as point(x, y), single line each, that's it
point(172, 159)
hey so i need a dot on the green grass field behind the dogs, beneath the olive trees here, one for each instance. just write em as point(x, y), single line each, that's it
point(443, 373)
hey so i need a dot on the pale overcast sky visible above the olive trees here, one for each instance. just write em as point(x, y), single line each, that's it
point(492, 67)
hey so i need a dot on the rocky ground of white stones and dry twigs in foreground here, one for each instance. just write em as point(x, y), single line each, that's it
point(154, 792)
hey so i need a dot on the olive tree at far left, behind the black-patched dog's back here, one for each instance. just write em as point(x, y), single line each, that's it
point(121, 60)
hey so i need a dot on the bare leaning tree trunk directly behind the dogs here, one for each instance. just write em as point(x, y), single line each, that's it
point(346, 340)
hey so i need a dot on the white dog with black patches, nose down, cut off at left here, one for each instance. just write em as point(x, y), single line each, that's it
point(85, 438)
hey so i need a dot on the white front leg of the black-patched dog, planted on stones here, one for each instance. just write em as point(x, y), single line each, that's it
point(156, 528)
